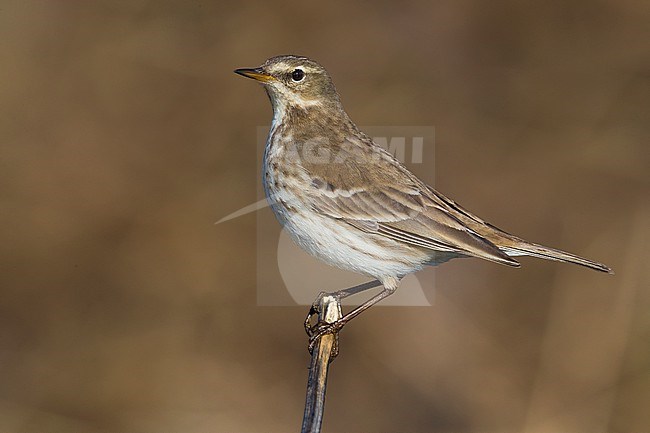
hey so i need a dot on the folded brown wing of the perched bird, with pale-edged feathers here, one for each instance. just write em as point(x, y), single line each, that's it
point(368, 188)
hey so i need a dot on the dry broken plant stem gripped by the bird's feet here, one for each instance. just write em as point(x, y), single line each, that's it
point(324, 351)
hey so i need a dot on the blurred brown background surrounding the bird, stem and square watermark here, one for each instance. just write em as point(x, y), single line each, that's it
point(125, 136)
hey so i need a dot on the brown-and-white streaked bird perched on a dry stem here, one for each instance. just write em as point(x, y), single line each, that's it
point(350, 203)
